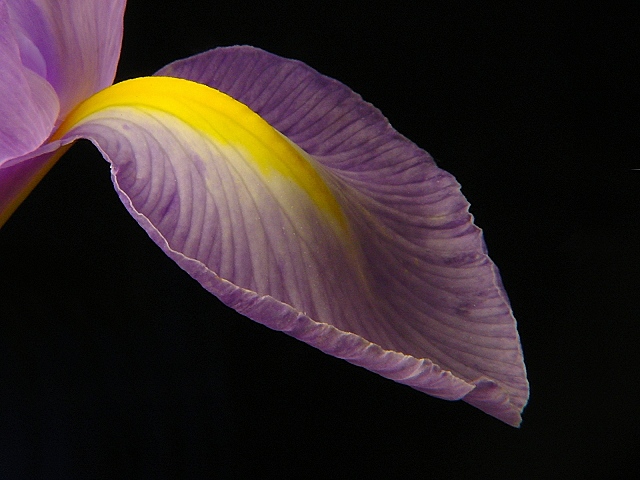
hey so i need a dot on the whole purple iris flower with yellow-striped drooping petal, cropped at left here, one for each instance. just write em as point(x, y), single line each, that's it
point(278, 189)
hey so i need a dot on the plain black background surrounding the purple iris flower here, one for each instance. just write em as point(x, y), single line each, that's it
point(116, 364)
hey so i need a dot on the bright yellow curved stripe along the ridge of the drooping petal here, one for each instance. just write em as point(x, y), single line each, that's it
point(220, 117)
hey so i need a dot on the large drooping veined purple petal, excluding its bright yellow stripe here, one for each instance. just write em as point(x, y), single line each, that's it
point(402, 286)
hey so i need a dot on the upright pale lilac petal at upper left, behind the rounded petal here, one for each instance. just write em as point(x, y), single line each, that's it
point(75, 45)
